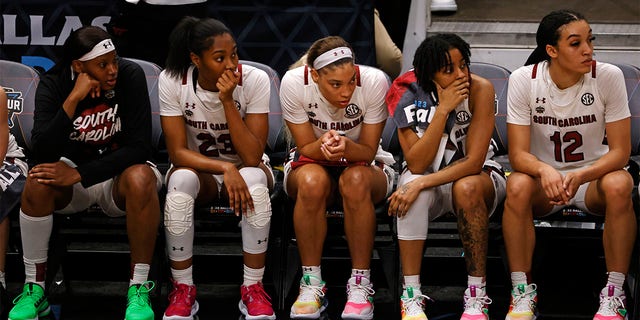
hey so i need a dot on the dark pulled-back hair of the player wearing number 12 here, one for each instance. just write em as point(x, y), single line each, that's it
point(549, 32)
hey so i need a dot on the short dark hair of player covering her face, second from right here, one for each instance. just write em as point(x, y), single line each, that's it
point(433, 55)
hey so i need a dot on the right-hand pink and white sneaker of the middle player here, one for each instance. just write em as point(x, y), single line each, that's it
point(359, 299)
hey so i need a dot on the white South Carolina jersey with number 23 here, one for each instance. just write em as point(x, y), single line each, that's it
point(205, 121)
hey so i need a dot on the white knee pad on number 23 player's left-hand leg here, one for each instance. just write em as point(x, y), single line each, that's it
point(178, 212)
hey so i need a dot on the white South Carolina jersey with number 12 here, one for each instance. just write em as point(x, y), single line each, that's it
point(568, 126)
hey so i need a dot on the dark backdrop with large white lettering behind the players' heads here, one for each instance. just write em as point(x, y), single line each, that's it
point(273, 32)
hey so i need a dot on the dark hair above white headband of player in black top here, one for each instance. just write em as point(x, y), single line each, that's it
point(80, 42)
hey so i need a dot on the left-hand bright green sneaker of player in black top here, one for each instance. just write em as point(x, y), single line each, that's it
point(30, 304)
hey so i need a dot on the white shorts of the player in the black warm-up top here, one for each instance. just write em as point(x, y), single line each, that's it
point(100, 194)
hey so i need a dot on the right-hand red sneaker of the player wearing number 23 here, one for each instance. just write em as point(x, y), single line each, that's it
point(255, 303)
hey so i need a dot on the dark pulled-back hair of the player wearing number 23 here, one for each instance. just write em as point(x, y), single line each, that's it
point(191, 35)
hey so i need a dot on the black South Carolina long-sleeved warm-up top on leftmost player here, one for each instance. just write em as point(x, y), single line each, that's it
point(105, 136)
